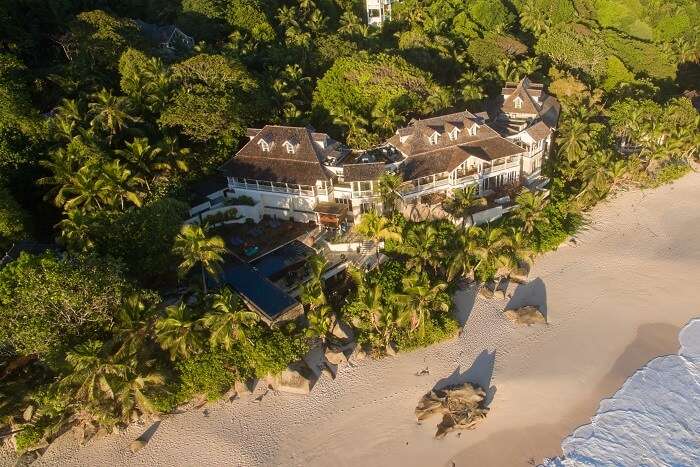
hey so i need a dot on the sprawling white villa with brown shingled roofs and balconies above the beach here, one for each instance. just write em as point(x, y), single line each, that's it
point(299, 174)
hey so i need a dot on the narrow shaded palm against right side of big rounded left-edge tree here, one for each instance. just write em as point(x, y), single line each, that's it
point(132, 326)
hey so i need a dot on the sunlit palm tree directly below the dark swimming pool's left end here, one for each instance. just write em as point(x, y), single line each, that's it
point(228, 319)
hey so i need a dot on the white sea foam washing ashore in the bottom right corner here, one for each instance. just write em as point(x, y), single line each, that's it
point(654, 419)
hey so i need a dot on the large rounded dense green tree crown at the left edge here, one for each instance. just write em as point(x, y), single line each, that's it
point(47, 302)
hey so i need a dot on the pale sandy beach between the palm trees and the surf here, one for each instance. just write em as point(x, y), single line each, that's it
point(614, 302)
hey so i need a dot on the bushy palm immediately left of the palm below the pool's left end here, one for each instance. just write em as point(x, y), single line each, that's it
point(177, 331)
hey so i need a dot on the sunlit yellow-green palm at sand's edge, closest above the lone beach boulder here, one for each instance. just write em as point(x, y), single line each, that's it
point(420, 298)
